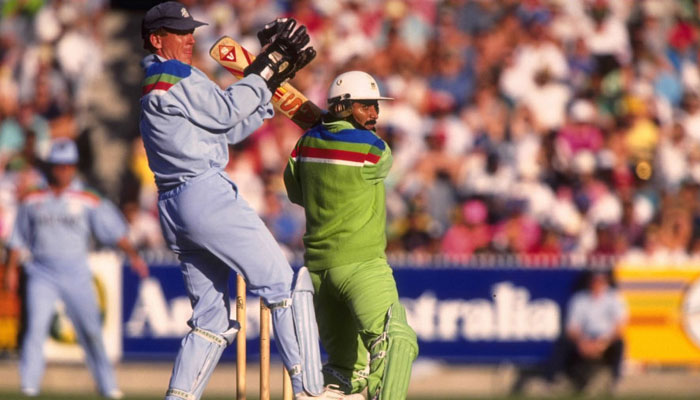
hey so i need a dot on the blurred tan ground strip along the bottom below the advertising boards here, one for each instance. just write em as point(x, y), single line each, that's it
point(148, 380)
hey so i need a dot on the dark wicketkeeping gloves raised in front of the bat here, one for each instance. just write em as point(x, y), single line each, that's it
point(284, 56)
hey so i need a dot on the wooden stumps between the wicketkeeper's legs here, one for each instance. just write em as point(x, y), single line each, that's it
point(264, 349)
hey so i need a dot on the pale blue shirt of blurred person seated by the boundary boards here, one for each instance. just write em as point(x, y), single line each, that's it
point(596, 316)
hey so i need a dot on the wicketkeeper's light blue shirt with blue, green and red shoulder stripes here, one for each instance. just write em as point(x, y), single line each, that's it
point(187, 121)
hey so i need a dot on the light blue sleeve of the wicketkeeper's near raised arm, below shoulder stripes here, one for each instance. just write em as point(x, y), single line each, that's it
point(205, 104)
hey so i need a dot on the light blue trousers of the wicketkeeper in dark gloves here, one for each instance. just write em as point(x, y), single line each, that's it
point(214, 231)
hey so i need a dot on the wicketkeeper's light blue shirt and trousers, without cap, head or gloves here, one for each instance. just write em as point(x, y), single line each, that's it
point(187, 123)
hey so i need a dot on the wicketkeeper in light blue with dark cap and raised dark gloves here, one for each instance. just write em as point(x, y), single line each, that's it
point(187, 123)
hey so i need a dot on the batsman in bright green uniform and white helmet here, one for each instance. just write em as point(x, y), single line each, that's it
point(336, 172)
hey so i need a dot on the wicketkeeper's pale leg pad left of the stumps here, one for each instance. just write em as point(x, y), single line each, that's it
point(199, 354)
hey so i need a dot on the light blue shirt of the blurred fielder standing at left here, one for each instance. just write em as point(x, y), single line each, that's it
point(58, 229)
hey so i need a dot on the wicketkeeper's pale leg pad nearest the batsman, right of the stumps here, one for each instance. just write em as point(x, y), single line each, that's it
point(307, 332)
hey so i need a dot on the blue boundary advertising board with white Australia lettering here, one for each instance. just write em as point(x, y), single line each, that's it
point(459, 314)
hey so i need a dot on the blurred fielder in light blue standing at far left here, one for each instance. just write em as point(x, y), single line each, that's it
point(56, 226)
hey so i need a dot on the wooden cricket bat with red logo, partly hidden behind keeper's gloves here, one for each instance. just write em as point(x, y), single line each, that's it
point(286, 99)
